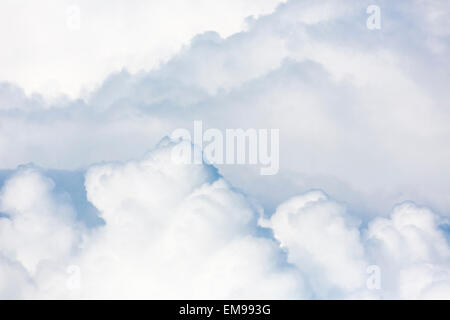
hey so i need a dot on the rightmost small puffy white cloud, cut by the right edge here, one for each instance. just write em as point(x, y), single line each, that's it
point(412, 246)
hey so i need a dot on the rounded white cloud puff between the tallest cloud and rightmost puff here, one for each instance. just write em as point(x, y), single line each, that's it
point(322, 241)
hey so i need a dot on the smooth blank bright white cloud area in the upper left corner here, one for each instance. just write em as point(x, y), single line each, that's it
point(46, 52)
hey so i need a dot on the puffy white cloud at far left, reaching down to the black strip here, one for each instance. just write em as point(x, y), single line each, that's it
point(37, 234)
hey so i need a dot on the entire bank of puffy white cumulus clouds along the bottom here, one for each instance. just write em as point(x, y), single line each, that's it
point(182, 231)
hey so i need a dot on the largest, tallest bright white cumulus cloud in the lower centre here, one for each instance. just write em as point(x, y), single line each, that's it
point(195, 241)
